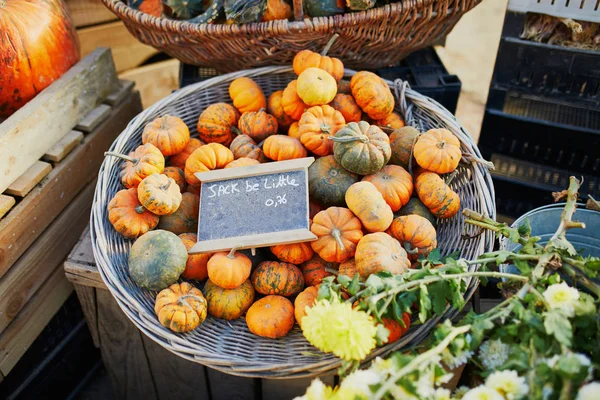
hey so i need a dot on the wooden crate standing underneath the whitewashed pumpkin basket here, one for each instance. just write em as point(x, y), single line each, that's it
point(139, 367)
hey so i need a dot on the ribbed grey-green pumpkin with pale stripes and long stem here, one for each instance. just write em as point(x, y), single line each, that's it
point(362, 148)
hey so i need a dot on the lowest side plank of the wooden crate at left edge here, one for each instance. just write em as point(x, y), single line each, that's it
point(24, 329)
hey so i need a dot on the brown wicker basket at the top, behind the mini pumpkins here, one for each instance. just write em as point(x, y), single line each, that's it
point(368, 39)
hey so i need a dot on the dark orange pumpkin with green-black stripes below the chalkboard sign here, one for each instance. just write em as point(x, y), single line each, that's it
point(272, 277)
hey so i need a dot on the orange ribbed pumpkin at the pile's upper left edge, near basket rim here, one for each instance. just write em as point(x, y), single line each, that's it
point(169, 134)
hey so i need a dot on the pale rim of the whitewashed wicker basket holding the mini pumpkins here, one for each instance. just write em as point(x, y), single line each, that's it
point(238, 365)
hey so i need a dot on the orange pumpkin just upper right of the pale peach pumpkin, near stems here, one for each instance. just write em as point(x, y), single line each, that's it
point(415, 233)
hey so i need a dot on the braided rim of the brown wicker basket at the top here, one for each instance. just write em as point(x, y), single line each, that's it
point(124, 12)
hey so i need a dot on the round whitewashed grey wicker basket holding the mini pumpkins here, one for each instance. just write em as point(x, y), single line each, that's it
point(229, 346)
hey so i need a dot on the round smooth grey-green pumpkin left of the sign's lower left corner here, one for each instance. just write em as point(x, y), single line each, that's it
point(156, 260)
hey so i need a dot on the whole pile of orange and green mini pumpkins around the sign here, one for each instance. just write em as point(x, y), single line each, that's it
point(362, 208)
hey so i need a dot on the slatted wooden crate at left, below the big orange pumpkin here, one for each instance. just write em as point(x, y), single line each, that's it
point(51, 203)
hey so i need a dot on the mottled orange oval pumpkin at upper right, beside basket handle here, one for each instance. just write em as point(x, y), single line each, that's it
point(372, 95)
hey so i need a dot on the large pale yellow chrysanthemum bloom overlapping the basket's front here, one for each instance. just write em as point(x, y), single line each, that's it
point(339, 329)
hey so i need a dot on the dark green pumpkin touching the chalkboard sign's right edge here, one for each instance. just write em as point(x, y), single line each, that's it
point(328, 182)
